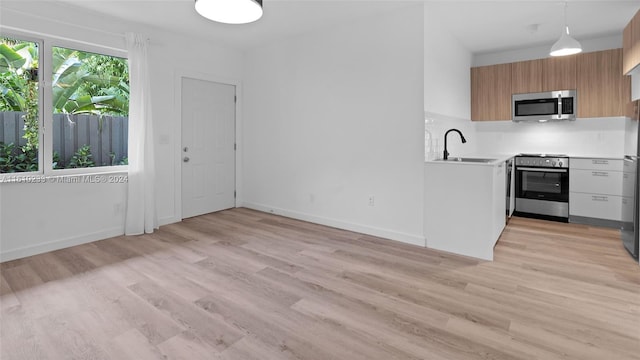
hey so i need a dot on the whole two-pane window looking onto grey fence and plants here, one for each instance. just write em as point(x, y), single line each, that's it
point(85, 109)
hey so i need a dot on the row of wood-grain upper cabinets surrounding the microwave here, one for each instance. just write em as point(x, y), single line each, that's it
point(597, 76)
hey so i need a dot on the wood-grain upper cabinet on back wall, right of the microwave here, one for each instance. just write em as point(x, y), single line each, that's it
point(602, 89)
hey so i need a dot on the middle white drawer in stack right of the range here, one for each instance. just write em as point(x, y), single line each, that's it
point(596, 181)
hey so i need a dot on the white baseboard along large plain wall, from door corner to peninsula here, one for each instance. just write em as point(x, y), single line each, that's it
point(364, 229)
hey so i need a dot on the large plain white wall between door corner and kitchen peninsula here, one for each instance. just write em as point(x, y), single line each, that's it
point(334, 117)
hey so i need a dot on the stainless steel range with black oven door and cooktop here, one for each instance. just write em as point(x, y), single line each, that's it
point(542, 186)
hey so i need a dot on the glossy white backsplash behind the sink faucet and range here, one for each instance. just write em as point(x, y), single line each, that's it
point(601, 137)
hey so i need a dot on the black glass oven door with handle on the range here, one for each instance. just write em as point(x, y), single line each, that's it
point(546, 184)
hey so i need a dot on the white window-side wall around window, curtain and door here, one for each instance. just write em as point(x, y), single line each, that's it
point(37, 218)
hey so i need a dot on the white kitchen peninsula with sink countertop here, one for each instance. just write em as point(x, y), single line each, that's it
point(465, 205)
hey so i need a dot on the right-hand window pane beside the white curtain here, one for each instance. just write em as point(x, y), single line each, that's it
point(90, 94)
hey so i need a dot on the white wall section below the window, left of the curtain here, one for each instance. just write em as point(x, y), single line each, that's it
point(44, 217)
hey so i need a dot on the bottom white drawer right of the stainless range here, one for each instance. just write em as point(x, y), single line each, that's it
point(607, 207)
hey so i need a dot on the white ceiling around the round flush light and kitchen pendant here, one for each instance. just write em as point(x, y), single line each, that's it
point(481, 26)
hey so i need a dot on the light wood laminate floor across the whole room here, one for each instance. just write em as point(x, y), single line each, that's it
point(241, 284)
